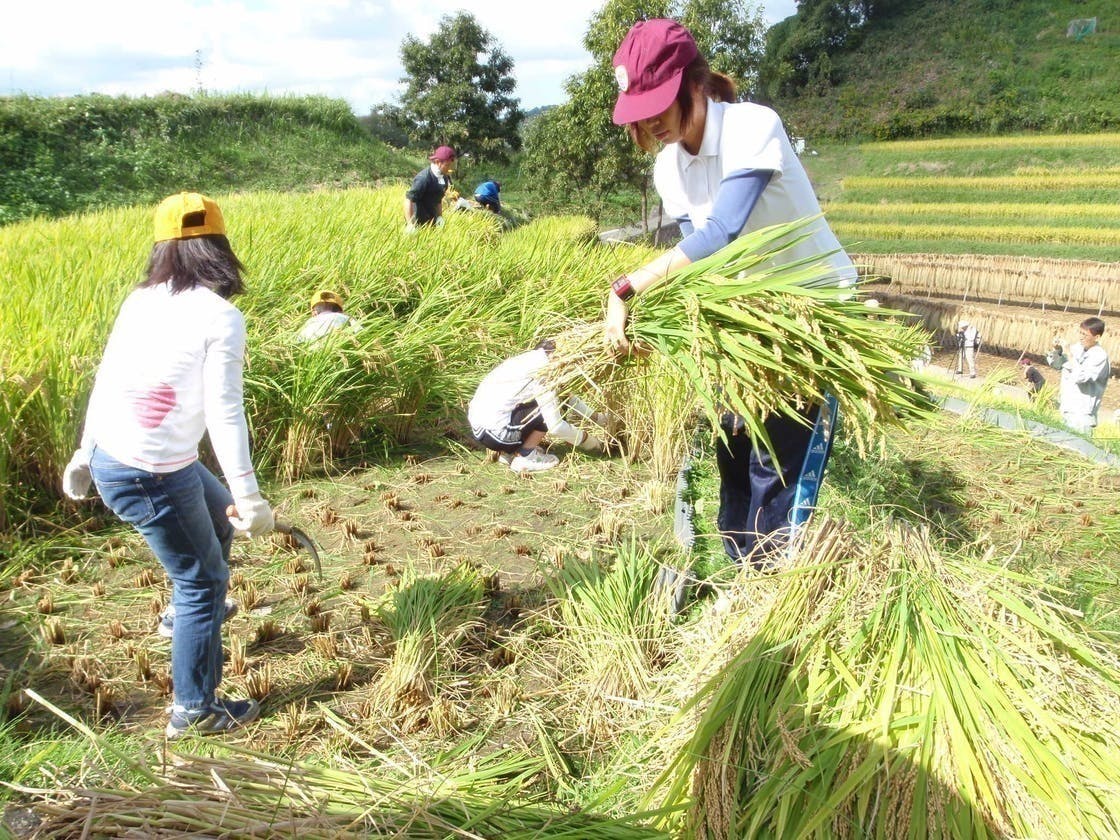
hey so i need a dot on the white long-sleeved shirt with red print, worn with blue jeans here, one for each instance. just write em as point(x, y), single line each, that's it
point(172, 372)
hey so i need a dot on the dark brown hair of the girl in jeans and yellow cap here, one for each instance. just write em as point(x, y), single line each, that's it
point(206, 262)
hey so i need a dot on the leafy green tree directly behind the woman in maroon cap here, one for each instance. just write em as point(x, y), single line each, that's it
point(582, 158)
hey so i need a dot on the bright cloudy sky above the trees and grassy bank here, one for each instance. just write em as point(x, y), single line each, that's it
point(344, 49)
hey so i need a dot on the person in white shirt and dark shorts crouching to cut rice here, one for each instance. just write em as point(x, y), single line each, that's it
point(511, 413)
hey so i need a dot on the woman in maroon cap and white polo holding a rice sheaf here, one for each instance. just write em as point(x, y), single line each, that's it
point(725, 169)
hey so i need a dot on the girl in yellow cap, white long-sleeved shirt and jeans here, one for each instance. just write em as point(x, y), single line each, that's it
point(172, 372)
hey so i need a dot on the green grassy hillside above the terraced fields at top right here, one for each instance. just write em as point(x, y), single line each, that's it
point(977, 67)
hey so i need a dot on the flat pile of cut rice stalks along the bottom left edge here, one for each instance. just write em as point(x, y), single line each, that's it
point(244, 794)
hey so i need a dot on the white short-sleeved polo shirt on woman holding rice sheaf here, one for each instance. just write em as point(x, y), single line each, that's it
point(748, 136)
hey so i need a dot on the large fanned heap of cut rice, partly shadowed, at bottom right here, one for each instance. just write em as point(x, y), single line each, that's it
point(897, 692)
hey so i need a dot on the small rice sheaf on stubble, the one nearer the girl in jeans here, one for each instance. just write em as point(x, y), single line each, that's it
point(427, 618)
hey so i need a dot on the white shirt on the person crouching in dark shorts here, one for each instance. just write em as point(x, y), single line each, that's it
point(511, 385)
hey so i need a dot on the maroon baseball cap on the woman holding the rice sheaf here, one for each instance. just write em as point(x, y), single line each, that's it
point(649, 68)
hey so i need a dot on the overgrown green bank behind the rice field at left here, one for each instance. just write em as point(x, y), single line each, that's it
point(61, 156)
